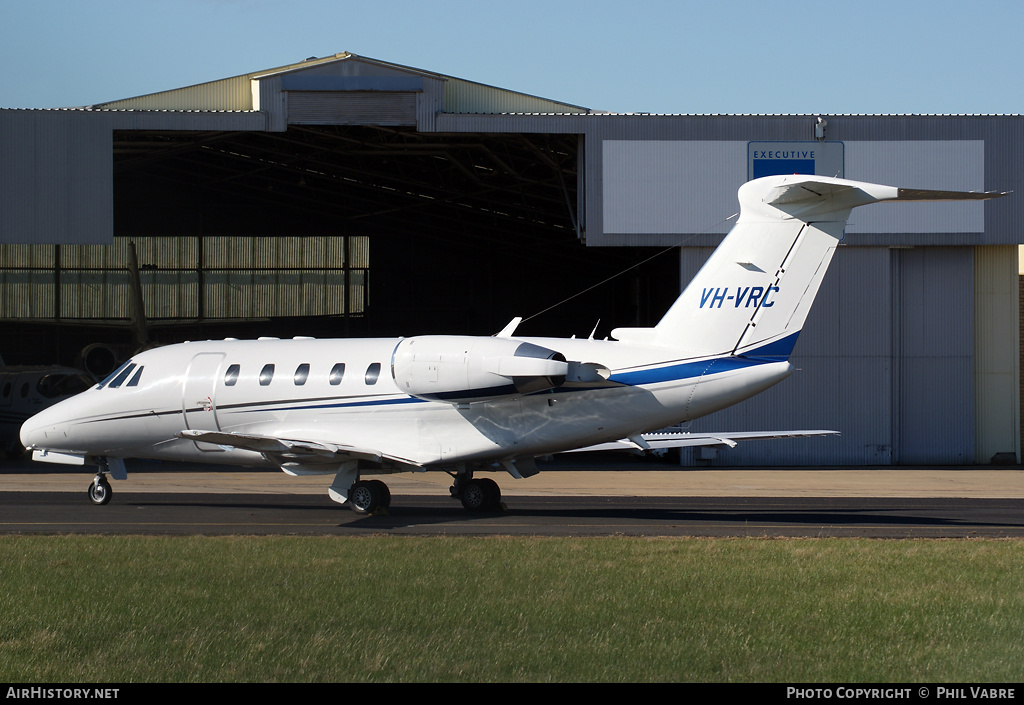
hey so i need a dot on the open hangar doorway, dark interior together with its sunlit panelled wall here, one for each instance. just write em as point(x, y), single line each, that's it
point(337, 232)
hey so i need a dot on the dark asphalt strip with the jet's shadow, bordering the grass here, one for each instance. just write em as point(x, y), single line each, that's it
point(535, 515)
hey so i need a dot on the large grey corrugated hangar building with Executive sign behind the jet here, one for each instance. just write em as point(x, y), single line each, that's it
point(349, 196)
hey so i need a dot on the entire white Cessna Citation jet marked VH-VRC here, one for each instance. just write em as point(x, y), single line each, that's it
point(354, 408)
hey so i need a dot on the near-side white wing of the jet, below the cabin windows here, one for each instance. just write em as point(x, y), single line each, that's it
point(295, 457)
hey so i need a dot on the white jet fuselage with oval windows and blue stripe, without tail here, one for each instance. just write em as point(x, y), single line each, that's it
point(346, 390)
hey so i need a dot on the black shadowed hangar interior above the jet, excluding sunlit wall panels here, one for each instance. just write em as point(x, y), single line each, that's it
point(464, 231)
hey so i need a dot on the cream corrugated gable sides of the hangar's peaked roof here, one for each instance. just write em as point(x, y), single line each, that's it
point(237, 94)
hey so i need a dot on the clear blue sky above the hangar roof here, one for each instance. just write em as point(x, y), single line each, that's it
point(645, 56)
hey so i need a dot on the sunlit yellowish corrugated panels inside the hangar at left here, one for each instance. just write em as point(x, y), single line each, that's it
point(189, 278)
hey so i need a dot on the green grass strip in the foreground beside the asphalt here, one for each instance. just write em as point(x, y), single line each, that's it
point(409, 609)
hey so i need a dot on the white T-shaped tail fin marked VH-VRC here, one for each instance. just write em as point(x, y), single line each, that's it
point(753, 296)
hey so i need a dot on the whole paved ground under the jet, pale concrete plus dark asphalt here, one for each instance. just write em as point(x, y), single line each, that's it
point(962, 503)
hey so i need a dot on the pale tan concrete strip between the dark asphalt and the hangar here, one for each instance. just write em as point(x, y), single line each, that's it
point(618, 481)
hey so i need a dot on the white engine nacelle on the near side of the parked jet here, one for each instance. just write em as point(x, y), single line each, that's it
point(461, 369)
